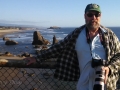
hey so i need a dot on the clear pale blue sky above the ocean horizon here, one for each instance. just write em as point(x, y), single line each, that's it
point(62, 13)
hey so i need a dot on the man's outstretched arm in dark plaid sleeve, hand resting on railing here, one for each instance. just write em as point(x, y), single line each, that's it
point(52, 52)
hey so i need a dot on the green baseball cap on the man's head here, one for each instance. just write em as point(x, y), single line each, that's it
point(92, 7)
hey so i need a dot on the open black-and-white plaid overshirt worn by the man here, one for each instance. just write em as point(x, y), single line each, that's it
point(67, 67)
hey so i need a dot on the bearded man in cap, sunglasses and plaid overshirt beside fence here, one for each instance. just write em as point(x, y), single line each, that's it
point(79, 50)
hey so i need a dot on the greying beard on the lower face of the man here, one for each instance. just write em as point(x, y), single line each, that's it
point(92, 25)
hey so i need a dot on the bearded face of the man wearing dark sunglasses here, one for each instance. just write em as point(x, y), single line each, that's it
point(92, 19)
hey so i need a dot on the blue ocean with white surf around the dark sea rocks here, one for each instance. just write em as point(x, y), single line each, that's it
point(25, 38)
